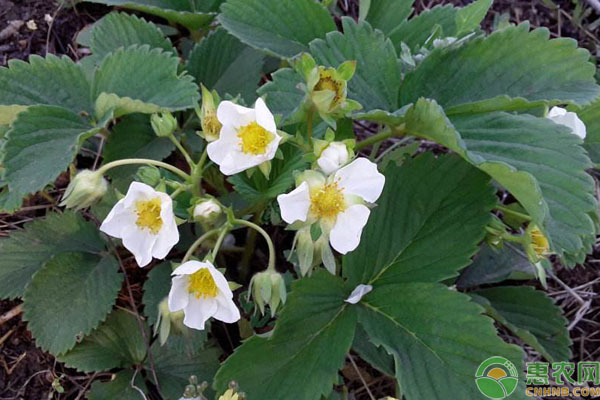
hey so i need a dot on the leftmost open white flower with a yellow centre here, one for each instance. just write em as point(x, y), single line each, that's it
point(144, 220)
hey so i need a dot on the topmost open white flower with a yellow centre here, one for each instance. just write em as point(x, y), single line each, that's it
point(247, 139)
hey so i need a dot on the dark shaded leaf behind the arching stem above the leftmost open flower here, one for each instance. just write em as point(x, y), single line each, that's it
point(133, 137)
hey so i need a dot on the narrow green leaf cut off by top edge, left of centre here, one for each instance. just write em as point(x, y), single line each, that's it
point(193, 14)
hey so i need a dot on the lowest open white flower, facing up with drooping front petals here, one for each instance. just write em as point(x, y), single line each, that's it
point(202, 292)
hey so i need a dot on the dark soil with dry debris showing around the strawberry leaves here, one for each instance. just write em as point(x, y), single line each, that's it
point(28, 373)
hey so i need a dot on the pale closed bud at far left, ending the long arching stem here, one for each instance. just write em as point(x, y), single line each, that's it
point(86, 188)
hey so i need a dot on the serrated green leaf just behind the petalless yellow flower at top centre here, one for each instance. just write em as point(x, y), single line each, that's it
point(378, 75)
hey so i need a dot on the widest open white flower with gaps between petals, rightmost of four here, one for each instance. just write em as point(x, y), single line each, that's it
point(337, 202)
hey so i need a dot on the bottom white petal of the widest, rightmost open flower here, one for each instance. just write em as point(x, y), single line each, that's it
point(345, 235)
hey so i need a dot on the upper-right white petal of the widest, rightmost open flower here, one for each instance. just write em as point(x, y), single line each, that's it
point(361, 178)
